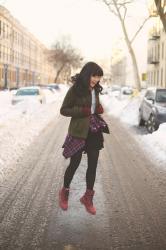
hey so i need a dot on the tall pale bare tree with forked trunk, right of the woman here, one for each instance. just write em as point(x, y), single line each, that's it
point(119, 9)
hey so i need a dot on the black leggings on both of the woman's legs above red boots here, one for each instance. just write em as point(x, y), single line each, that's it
point(91, 170)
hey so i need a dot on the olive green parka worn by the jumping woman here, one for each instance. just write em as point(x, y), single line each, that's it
point(72, 107)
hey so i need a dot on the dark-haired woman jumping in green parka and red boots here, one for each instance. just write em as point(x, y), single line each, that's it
point(85, 130)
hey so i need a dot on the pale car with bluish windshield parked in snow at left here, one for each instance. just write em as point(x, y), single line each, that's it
point(33, 93)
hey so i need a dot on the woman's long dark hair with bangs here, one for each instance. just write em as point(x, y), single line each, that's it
point(82, 80)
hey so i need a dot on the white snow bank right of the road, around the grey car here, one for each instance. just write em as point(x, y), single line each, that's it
point(126, 109)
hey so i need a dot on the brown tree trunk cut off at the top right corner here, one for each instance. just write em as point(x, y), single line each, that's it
point(161, 10)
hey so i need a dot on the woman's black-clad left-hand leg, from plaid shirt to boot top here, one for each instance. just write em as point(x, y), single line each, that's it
point(70, 171)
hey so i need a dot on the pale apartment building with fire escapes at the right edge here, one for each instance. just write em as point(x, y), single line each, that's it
point(156, 70)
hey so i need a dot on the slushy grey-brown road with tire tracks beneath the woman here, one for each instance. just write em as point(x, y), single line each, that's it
point(130, 198)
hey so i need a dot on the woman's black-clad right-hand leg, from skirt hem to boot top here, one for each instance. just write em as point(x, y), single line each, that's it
point(91, 170)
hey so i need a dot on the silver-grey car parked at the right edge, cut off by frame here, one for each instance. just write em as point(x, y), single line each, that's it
point(152, 111)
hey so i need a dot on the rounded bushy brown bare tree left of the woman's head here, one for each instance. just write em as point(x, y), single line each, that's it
point(64, 57)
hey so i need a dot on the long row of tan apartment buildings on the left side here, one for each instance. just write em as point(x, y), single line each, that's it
point(23, 58)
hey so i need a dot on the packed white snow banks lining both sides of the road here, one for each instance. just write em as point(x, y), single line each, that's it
point(21, 123)
